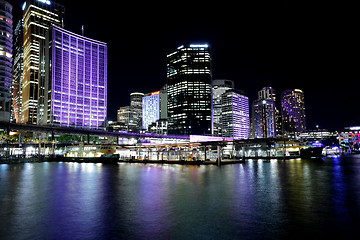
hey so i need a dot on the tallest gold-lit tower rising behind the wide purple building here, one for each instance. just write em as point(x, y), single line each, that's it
point(38, 16)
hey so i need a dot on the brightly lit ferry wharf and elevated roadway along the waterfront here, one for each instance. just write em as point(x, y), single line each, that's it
point(151, 147)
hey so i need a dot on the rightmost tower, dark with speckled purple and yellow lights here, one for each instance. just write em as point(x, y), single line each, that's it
point(293, 111)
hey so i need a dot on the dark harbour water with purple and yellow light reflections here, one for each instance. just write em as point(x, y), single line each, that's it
point(270, 199)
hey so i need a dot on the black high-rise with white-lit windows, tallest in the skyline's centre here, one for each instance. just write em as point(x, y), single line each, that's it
point(189, 90)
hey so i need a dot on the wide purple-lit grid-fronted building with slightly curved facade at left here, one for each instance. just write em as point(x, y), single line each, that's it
point(73, 85)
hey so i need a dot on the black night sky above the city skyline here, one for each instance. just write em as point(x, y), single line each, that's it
point(281, 44)
